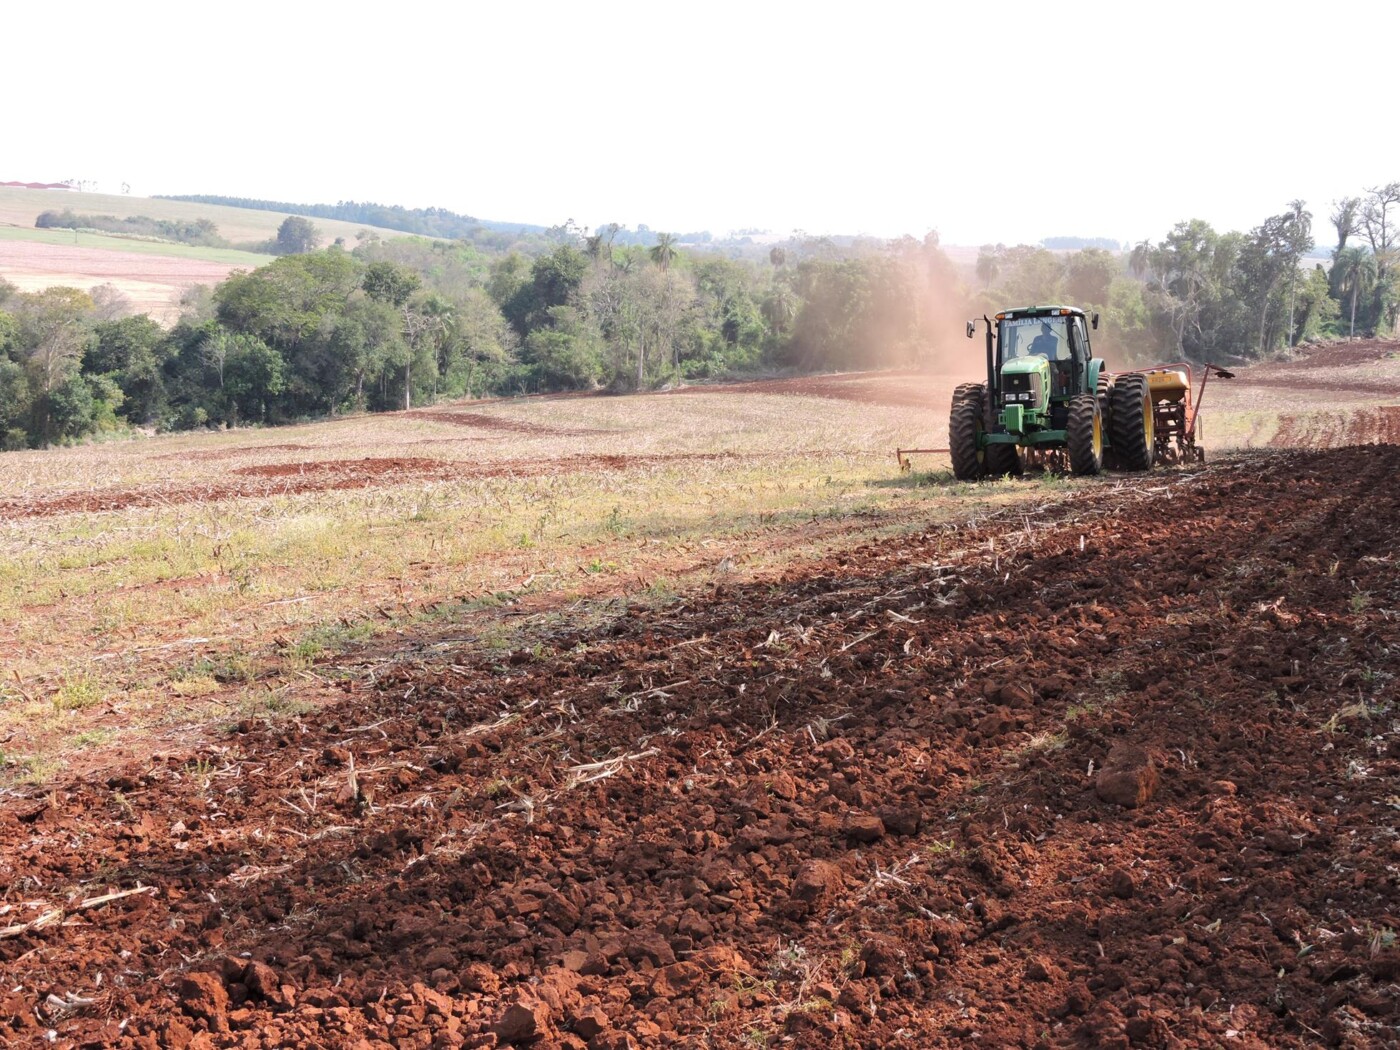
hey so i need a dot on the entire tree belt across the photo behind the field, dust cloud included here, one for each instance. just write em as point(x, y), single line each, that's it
point(409, 321)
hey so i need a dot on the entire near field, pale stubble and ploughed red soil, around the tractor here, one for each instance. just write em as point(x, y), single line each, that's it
point(687, 720)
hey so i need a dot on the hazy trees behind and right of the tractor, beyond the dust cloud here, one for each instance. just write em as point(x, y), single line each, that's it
point(1202, 295)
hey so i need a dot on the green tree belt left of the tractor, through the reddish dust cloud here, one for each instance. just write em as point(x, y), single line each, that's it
point(404, 323)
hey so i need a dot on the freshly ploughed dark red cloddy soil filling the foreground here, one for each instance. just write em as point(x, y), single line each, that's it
point(839, 807)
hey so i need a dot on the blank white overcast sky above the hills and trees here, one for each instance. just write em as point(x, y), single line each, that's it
point(867, 117)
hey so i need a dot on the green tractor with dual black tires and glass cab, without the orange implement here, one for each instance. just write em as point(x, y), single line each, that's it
point(1049, 402)
